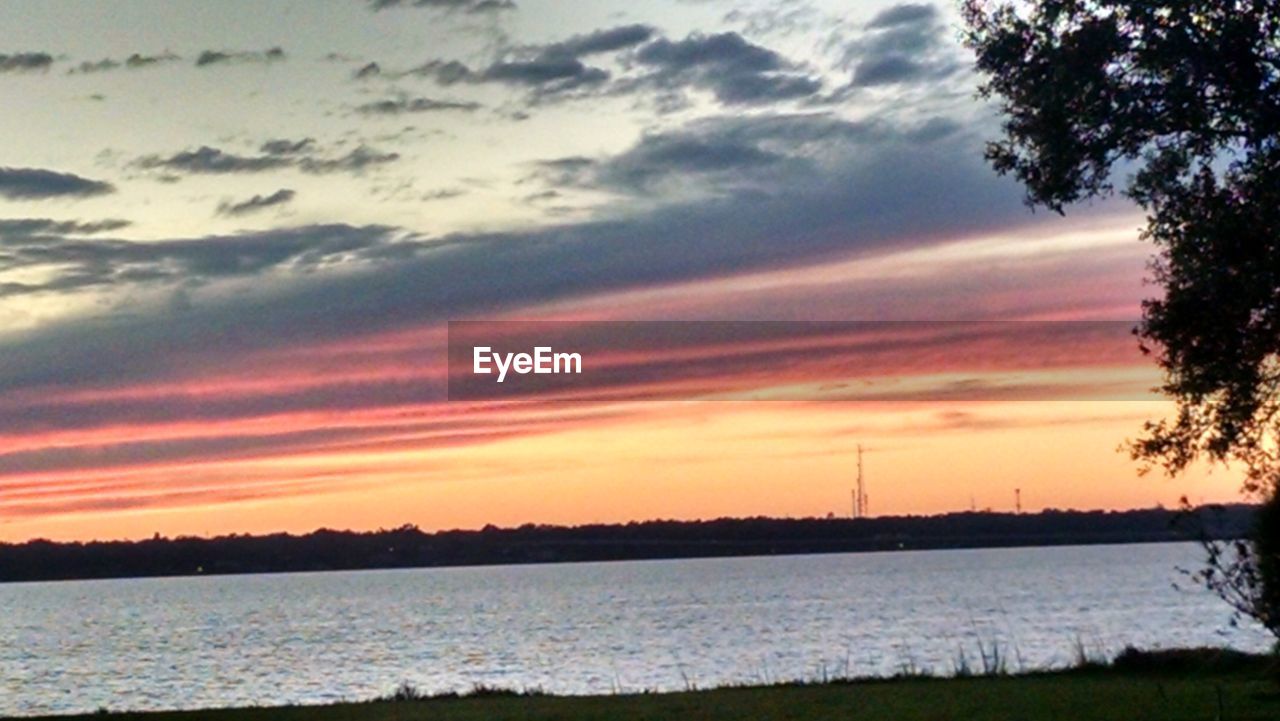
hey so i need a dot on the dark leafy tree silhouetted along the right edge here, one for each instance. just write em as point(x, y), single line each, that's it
point(1186, 97)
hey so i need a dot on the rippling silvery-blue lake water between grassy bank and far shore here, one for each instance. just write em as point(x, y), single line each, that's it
point(587, 628)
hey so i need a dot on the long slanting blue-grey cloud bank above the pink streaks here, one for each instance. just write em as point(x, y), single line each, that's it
point(838, 189)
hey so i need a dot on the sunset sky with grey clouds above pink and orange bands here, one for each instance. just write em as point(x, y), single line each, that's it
point(232, 236)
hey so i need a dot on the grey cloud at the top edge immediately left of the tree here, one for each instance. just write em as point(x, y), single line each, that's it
point(903, 45)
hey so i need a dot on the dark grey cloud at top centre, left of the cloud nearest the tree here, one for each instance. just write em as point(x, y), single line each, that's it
point(734, 70)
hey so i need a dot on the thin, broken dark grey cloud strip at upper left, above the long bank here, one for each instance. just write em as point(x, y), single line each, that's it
point(273, 156)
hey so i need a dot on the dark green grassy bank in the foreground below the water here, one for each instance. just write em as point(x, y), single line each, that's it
point(1167, 687)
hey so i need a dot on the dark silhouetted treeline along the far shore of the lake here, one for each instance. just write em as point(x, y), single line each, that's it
point(410, 547)
